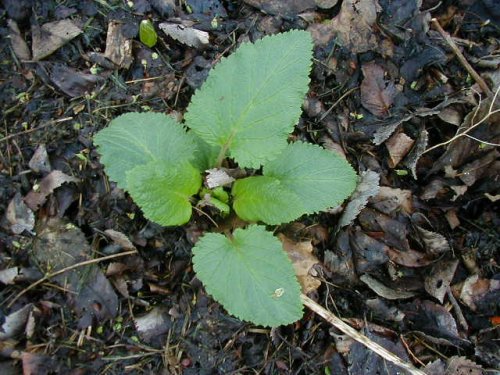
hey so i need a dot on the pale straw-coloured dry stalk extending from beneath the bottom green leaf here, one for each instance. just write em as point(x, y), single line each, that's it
point(351, 332)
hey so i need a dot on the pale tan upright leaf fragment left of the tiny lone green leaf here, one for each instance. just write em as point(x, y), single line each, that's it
point(118, 46)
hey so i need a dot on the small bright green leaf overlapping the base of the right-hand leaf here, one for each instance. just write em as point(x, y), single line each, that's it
point(262, 198)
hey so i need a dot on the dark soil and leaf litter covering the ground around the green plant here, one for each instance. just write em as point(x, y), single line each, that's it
point(385, 87)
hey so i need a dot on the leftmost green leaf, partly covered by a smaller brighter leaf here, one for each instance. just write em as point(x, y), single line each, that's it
point(135, 139)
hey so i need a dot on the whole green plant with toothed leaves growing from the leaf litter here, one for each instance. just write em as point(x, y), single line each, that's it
point(243, 115)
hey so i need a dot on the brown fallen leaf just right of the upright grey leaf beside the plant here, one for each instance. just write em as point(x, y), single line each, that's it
point(390, 200)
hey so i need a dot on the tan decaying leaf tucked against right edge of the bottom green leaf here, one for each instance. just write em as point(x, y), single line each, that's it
point(303, 260)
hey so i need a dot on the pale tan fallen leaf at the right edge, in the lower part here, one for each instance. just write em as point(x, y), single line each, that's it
point(475, 289)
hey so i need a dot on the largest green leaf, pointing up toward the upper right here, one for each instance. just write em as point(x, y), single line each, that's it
point(251, 100)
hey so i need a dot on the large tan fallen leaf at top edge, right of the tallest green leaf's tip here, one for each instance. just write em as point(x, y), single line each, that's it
point(354, 25)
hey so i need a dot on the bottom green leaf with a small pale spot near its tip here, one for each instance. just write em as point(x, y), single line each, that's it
point(250, 275)
